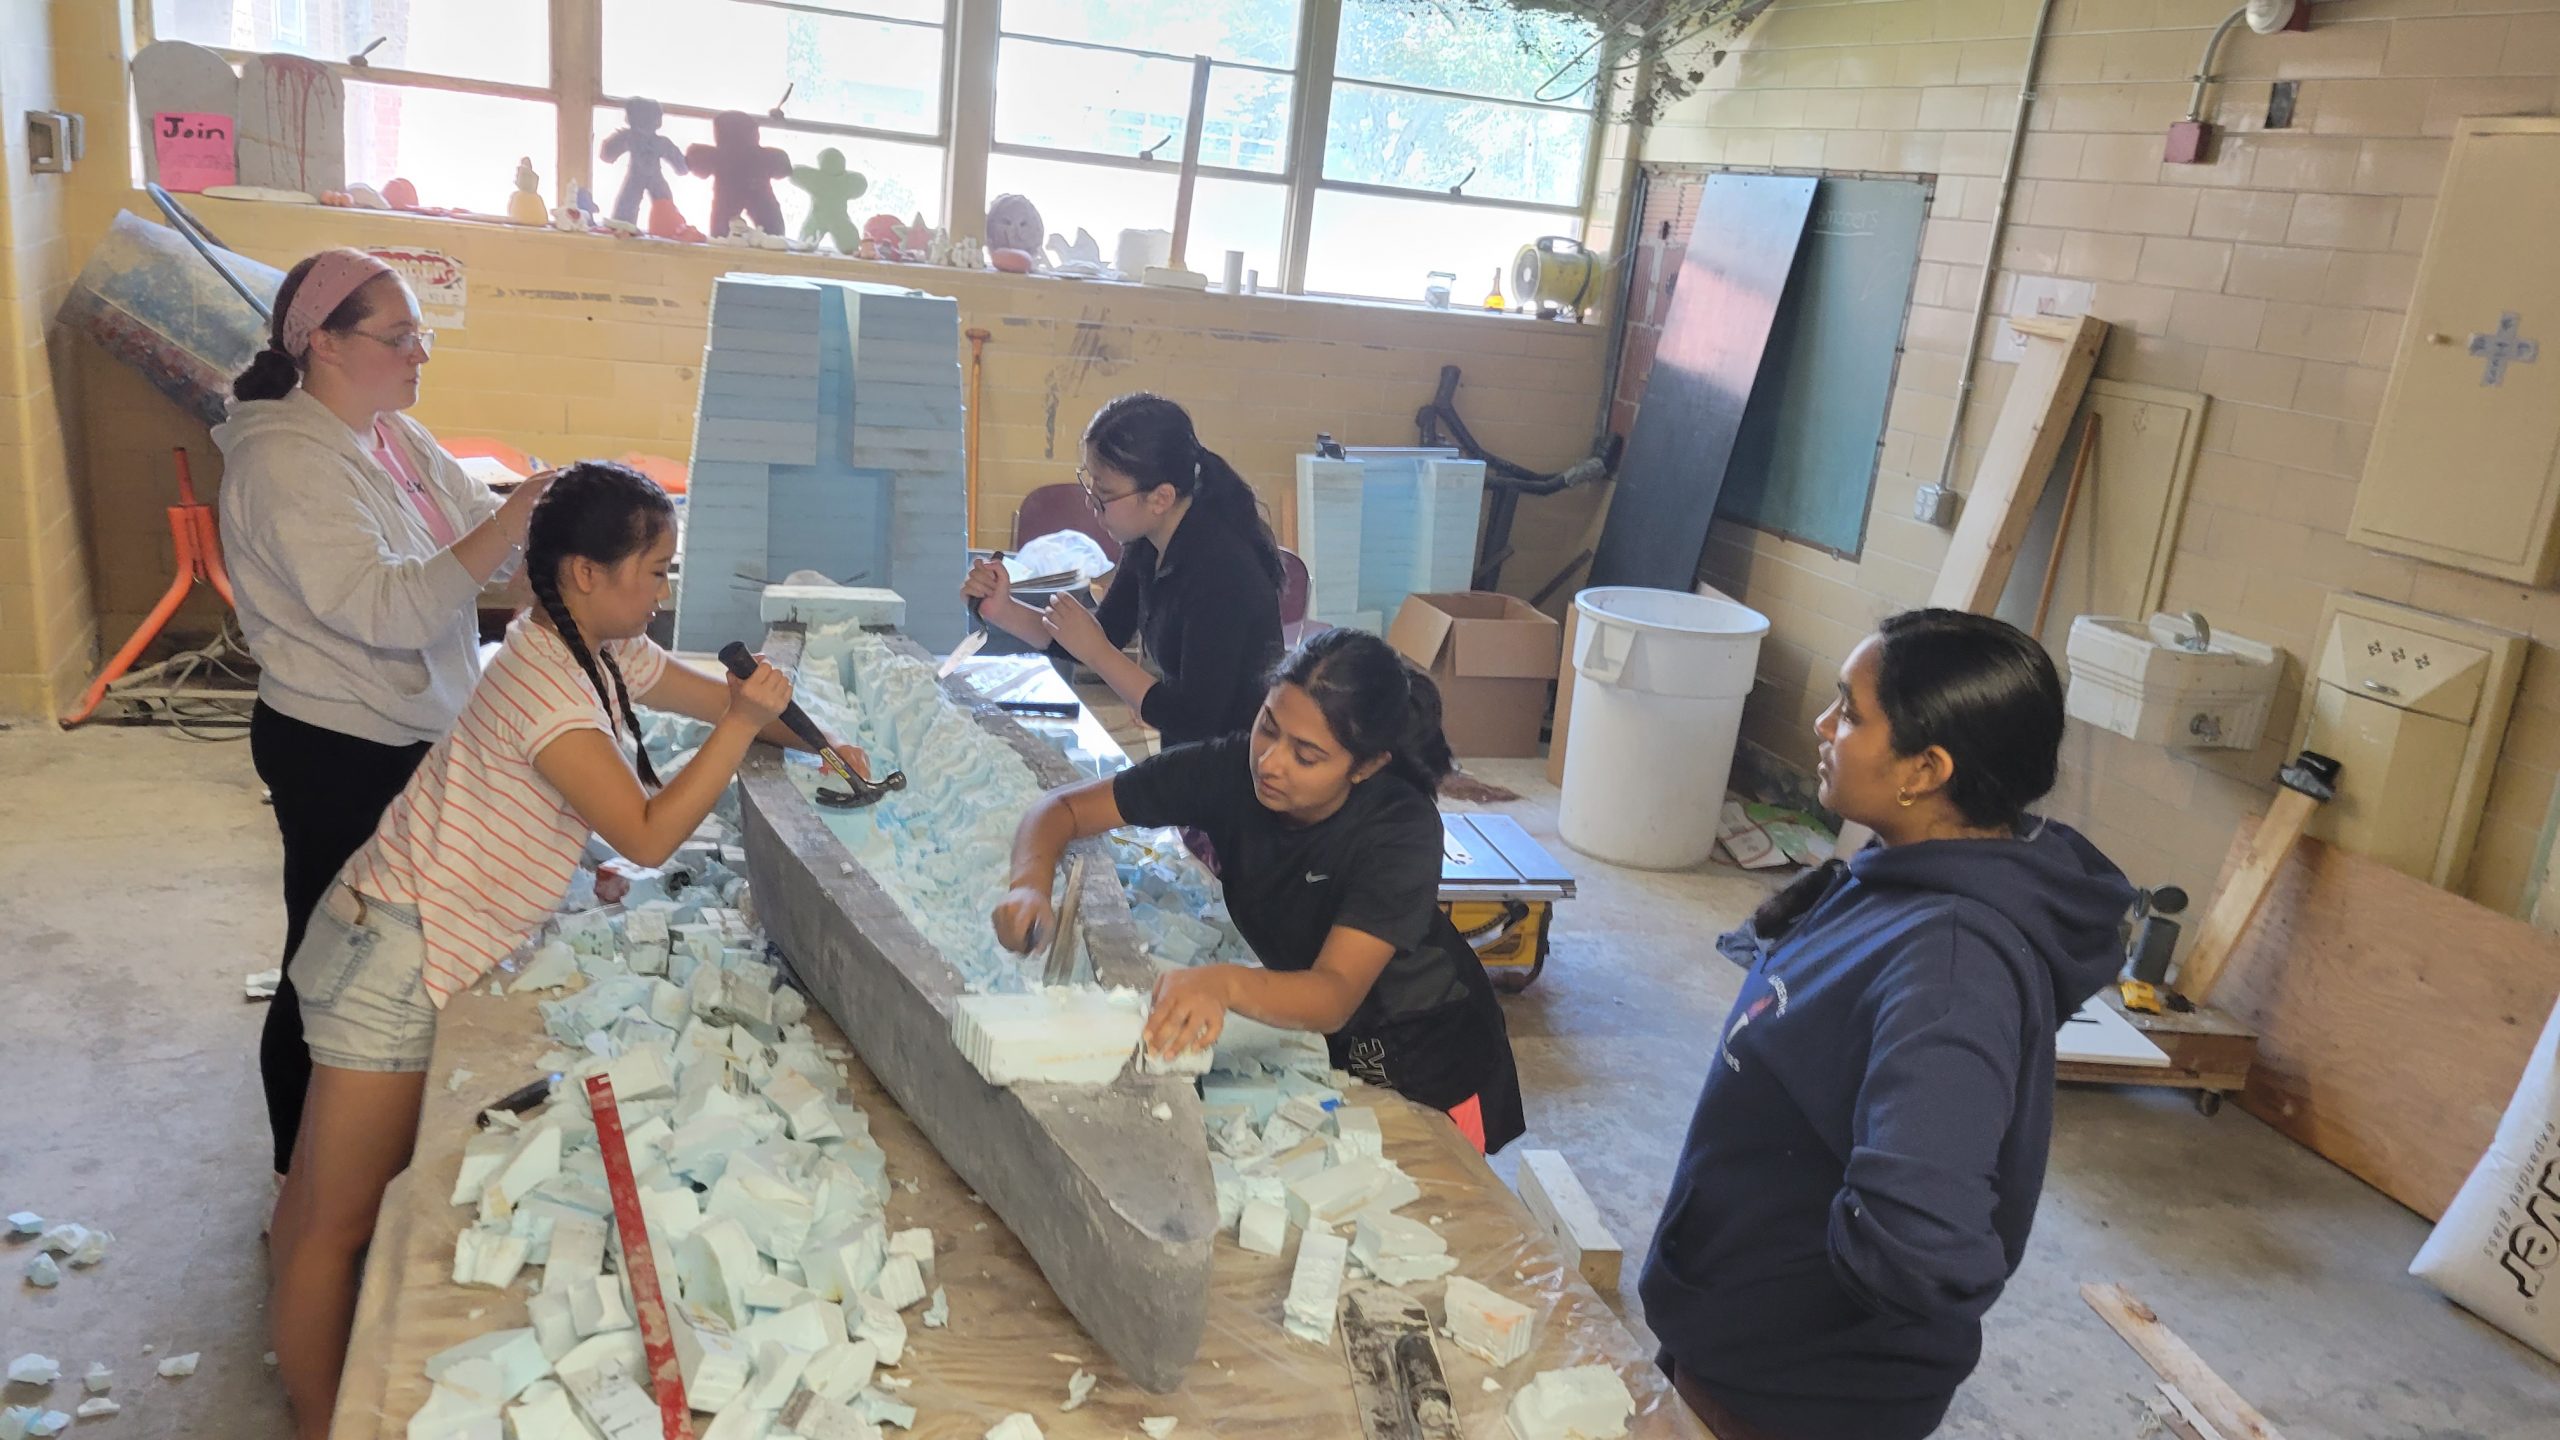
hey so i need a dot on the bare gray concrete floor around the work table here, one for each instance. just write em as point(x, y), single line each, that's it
point(140, 883)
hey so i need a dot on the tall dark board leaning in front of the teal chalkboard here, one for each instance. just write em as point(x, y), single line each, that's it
point(1704, 373)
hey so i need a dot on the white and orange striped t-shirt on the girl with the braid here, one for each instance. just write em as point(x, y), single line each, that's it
point(480, 842)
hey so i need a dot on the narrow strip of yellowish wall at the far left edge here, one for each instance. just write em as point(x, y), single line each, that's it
point(47, 626)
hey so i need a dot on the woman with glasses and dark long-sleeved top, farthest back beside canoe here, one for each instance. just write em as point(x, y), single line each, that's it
point(1199, 578)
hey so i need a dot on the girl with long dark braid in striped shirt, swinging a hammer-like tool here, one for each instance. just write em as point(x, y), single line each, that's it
point(475, 855)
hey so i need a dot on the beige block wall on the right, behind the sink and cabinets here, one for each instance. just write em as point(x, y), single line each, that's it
point(2269, 281)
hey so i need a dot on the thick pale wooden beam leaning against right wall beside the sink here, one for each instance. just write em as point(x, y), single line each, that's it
point(2026, 439)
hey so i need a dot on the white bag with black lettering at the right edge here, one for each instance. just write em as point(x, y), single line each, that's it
point(2497, 1252)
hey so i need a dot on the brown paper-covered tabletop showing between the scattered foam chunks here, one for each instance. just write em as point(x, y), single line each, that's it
point(1010, 1344)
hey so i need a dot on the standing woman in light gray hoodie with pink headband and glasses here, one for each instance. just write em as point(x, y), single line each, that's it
point(357, 555)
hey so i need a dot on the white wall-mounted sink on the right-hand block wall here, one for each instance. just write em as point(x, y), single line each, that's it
point(2172, 680)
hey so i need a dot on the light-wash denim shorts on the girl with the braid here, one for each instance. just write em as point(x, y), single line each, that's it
point(362, 975)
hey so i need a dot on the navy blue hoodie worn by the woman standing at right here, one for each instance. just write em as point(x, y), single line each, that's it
point(1873, 1136)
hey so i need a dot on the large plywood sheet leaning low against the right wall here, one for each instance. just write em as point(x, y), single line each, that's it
point(2392, 1019)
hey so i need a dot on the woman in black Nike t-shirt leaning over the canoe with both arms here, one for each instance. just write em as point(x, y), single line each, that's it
point(1330, 849)
